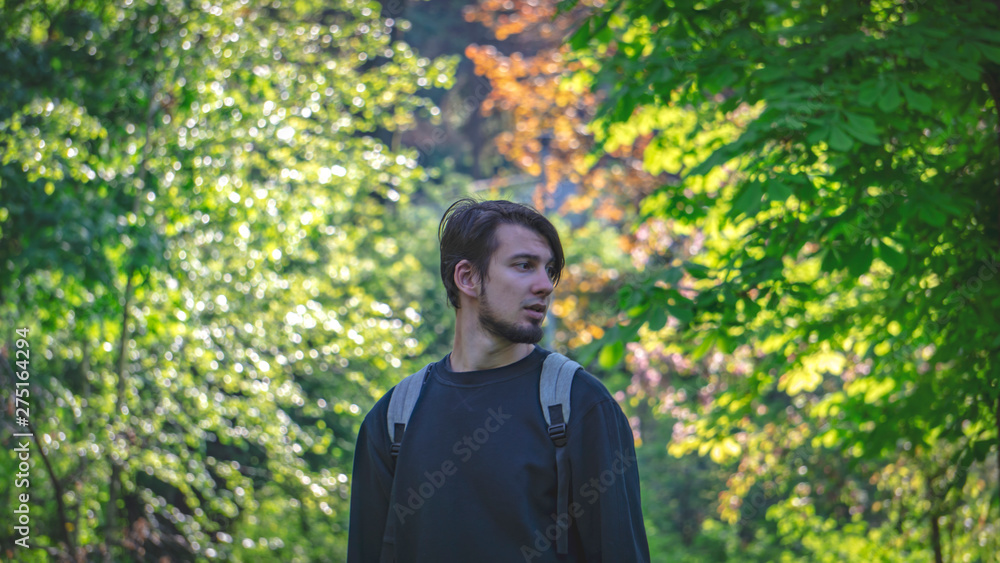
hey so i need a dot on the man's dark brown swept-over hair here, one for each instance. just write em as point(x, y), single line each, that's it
point(468, 232)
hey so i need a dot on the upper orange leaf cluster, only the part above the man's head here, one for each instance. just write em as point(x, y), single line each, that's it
point(530, 90)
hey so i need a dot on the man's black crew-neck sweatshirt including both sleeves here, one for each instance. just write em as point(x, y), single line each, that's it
point(477, 480)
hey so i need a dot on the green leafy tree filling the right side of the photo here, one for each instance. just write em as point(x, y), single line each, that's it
point(849, 199)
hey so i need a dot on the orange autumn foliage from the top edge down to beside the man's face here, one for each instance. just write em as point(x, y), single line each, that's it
point(531, 95)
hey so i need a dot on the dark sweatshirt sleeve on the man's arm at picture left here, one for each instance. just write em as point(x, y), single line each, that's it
point(371, 484)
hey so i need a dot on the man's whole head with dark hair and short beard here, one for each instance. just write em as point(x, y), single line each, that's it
point(511, 245)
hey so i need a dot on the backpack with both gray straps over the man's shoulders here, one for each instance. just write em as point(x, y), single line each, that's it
point(554, 389)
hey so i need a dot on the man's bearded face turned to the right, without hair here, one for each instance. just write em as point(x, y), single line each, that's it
point(514, 298)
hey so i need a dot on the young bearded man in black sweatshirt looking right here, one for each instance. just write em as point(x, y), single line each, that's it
point(475, 480)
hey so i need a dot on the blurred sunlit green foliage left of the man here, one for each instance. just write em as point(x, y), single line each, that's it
point(219, 264)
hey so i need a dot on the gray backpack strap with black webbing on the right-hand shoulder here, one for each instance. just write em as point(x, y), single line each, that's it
point(554, 388)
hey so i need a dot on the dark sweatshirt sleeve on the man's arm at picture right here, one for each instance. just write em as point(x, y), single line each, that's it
point(605, 501)
